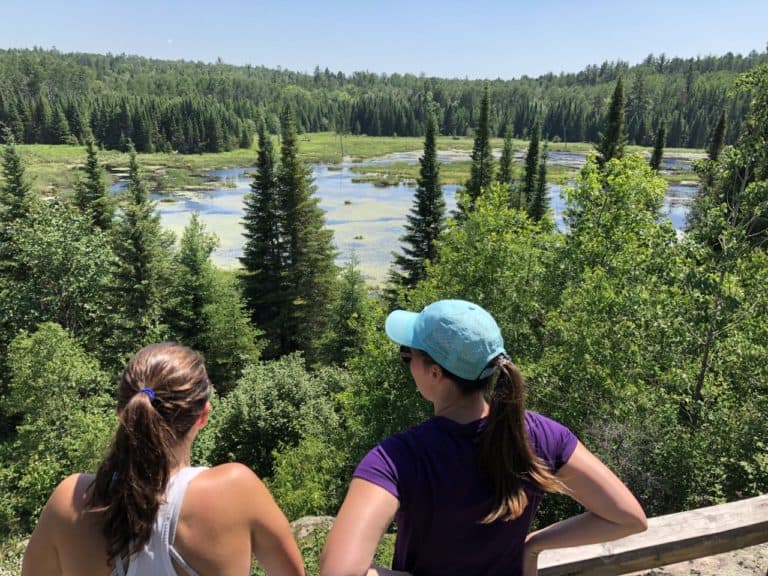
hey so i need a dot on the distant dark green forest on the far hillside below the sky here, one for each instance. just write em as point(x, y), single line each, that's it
point(50, 97)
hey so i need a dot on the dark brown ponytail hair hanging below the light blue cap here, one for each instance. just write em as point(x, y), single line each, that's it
point(505, 454)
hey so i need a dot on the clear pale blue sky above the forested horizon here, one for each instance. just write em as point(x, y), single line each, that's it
point(450, 38)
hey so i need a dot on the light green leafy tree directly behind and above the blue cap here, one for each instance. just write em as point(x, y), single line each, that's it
point(500, 259)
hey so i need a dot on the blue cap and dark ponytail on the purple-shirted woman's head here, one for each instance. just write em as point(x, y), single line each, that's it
point(465, 341)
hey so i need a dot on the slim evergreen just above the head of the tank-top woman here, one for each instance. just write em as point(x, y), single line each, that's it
point(140, 247)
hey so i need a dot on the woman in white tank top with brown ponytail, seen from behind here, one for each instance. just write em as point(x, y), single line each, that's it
point(146, 510)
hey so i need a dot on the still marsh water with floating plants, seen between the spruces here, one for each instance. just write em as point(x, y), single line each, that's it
point(366, 219)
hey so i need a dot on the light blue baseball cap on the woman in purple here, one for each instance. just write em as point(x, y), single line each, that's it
point(459, 335)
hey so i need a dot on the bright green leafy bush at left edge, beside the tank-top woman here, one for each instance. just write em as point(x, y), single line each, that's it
point(57, 394)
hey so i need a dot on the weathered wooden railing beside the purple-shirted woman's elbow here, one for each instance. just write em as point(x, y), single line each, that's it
point(669, 539)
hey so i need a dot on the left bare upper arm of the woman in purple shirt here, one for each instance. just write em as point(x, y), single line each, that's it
point(364, 516)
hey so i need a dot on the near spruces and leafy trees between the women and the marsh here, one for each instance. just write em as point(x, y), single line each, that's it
point(649, 345)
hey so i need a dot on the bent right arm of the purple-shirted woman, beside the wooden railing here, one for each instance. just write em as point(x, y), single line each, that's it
point(612, 510)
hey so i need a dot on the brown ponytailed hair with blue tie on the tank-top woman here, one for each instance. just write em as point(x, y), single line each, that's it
point(131, 481)
